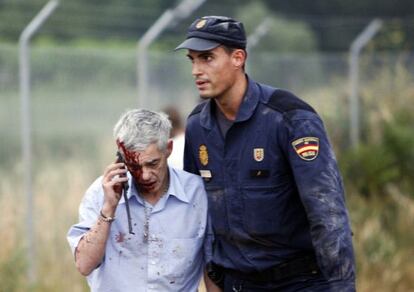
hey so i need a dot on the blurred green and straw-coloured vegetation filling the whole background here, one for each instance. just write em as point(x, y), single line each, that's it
point(84, 76)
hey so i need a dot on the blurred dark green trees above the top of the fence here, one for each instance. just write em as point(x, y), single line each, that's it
point(321, 24)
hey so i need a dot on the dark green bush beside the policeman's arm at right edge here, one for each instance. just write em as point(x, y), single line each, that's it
point(374, 165)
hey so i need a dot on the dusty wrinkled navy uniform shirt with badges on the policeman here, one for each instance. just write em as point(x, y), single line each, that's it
point(275, 191)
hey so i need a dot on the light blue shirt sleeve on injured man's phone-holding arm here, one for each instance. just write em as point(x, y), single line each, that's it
point(88, 214)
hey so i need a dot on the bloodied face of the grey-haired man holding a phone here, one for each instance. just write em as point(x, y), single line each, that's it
point(149, 168)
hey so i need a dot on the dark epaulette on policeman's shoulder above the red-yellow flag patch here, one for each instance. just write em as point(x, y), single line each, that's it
point(284, 101)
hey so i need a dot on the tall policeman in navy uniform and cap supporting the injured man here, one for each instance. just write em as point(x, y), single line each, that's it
point(276, 197)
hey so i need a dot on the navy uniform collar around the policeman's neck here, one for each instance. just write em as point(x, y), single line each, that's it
point(246, 109)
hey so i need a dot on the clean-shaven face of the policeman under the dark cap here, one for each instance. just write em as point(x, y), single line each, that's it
point(215, 71)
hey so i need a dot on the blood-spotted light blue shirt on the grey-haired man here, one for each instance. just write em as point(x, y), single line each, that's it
point(172, 257)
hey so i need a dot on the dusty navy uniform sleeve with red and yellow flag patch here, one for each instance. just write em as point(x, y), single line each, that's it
point(321, 191)
